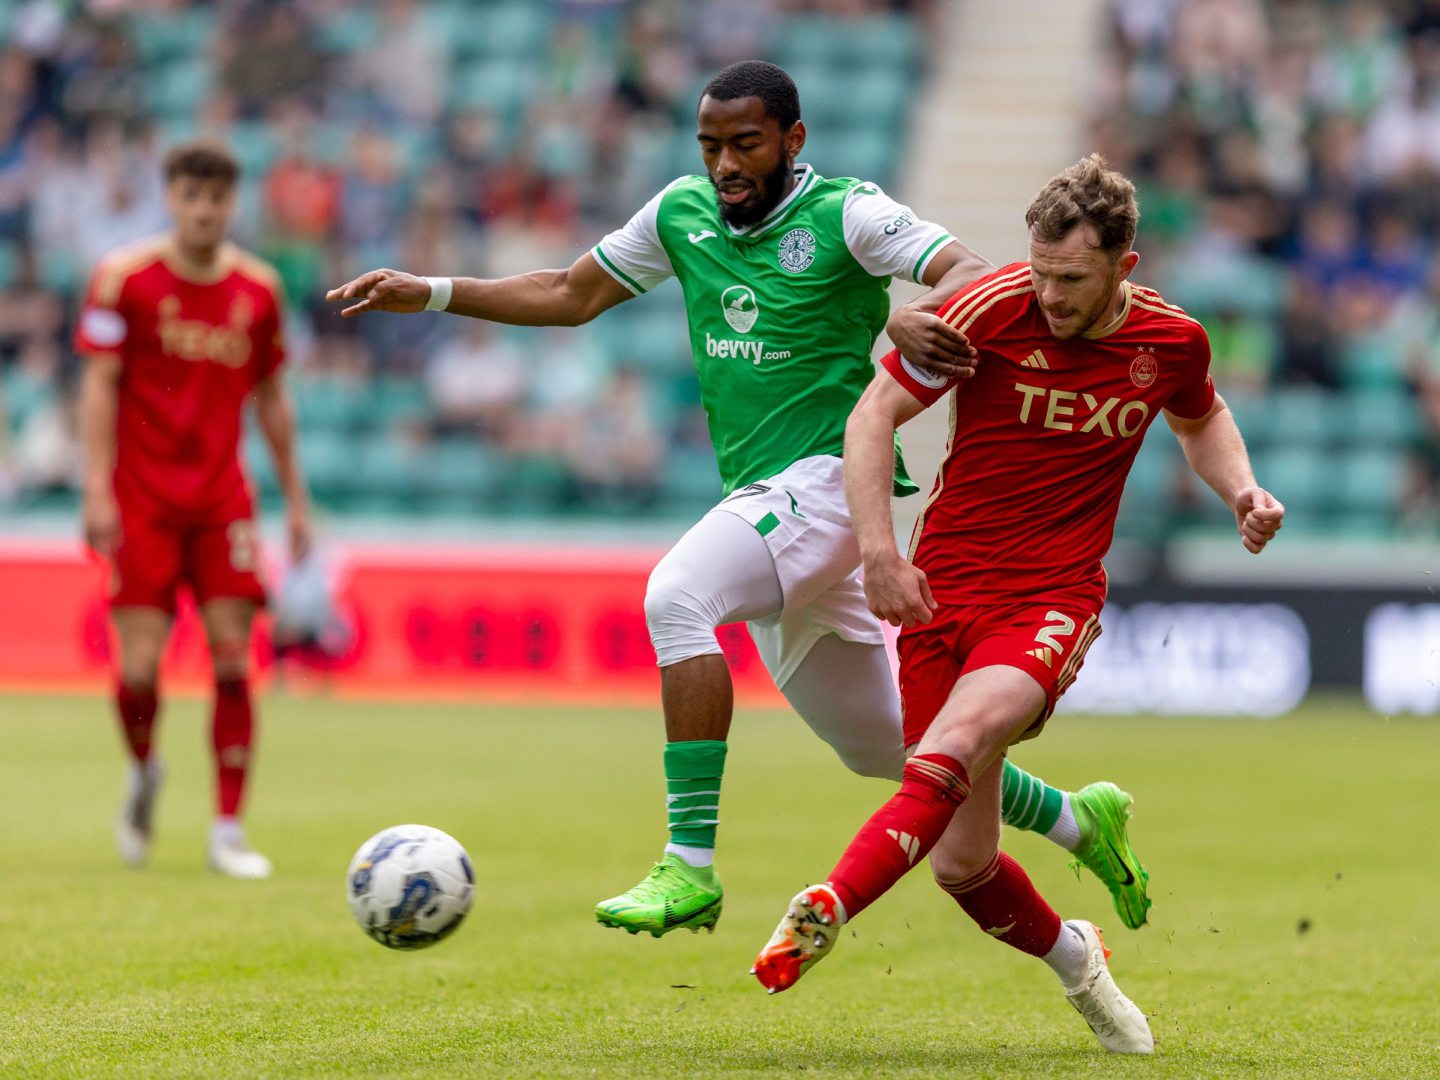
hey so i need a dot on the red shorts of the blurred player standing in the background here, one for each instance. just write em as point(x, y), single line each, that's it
point(217, 557)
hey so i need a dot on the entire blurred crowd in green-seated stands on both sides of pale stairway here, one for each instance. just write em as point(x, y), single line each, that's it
point(1288, 158)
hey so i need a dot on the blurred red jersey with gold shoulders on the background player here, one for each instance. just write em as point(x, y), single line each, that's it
point(192, 348)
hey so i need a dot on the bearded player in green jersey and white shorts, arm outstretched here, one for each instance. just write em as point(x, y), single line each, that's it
point(786, 277)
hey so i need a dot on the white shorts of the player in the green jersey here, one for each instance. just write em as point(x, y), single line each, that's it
point(806, 523)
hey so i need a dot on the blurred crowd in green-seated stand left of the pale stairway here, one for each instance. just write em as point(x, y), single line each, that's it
point(473, 138)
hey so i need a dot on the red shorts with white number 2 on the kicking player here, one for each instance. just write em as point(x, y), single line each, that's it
point(1048, 640)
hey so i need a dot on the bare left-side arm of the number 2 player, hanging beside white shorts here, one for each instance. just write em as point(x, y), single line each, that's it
point(896, 591)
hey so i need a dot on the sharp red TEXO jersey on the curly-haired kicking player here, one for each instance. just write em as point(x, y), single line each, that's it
point(1043, 437)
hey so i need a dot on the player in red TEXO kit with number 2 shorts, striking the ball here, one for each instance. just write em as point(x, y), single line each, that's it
point(1003, 591)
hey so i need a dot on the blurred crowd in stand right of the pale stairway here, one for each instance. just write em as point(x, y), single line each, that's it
point(1288, 162)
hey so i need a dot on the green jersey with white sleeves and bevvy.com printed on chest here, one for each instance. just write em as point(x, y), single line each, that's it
point(784, 313)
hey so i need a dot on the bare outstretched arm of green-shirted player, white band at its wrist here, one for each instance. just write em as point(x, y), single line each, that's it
point(541, 299)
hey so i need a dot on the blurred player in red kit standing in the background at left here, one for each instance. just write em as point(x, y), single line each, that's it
point(178, 332)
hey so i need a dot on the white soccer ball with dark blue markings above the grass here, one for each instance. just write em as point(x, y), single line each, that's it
point(410, 886)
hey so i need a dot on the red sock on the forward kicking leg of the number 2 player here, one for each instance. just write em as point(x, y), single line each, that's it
point(901, 833)
